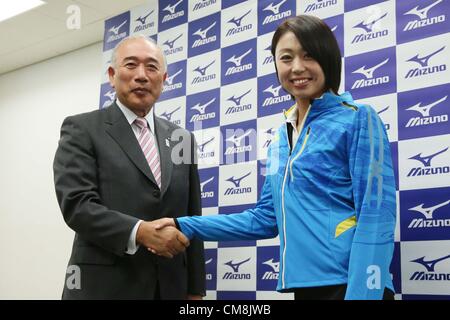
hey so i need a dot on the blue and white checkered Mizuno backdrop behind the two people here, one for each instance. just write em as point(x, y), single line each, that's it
point(222, 86)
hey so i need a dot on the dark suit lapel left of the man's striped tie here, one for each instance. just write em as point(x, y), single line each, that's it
point(120, 130)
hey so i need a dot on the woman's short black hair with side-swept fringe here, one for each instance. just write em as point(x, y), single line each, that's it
point(318, 40)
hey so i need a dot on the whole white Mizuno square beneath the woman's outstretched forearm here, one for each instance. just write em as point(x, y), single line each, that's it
point(236, 269)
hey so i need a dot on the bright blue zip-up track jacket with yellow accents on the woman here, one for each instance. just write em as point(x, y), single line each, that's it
point(331, 200)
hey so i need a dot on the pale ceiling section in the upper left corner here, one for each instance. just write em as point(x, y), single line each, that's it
point(42, 33)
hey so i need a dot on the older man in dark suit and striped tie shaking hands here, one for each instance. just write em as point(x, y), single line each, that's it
point(118, 169)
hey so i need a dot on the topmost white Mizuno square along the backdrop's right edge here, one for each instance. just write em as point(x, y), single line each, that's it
point(423, 63)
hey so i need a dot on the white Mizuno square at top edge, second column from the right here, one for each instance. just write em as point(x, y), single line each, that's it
point(370, 28)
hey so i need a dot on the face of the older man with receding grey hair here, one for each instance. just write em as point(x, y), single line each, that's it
point(138, 75)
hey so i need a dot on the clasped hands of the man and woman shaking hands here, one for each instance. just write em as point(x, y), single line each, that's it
point(161, 237)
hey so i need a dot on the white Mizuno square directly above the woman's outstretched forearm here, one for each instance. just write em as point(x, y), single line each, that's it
point(238, 184)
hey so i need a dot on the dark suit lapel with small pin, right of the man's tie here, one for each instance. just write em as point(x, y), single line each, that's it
point(165, 150)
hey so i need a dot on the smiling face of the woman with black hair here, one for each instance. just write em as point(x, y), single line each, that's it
point(299, 74)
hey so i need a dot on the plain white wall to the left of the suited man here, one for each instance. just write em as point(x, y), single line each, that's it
point(35, 243)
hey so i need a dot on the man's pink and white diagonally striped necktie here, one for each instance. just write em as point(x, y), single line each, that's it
point(148, 146)
